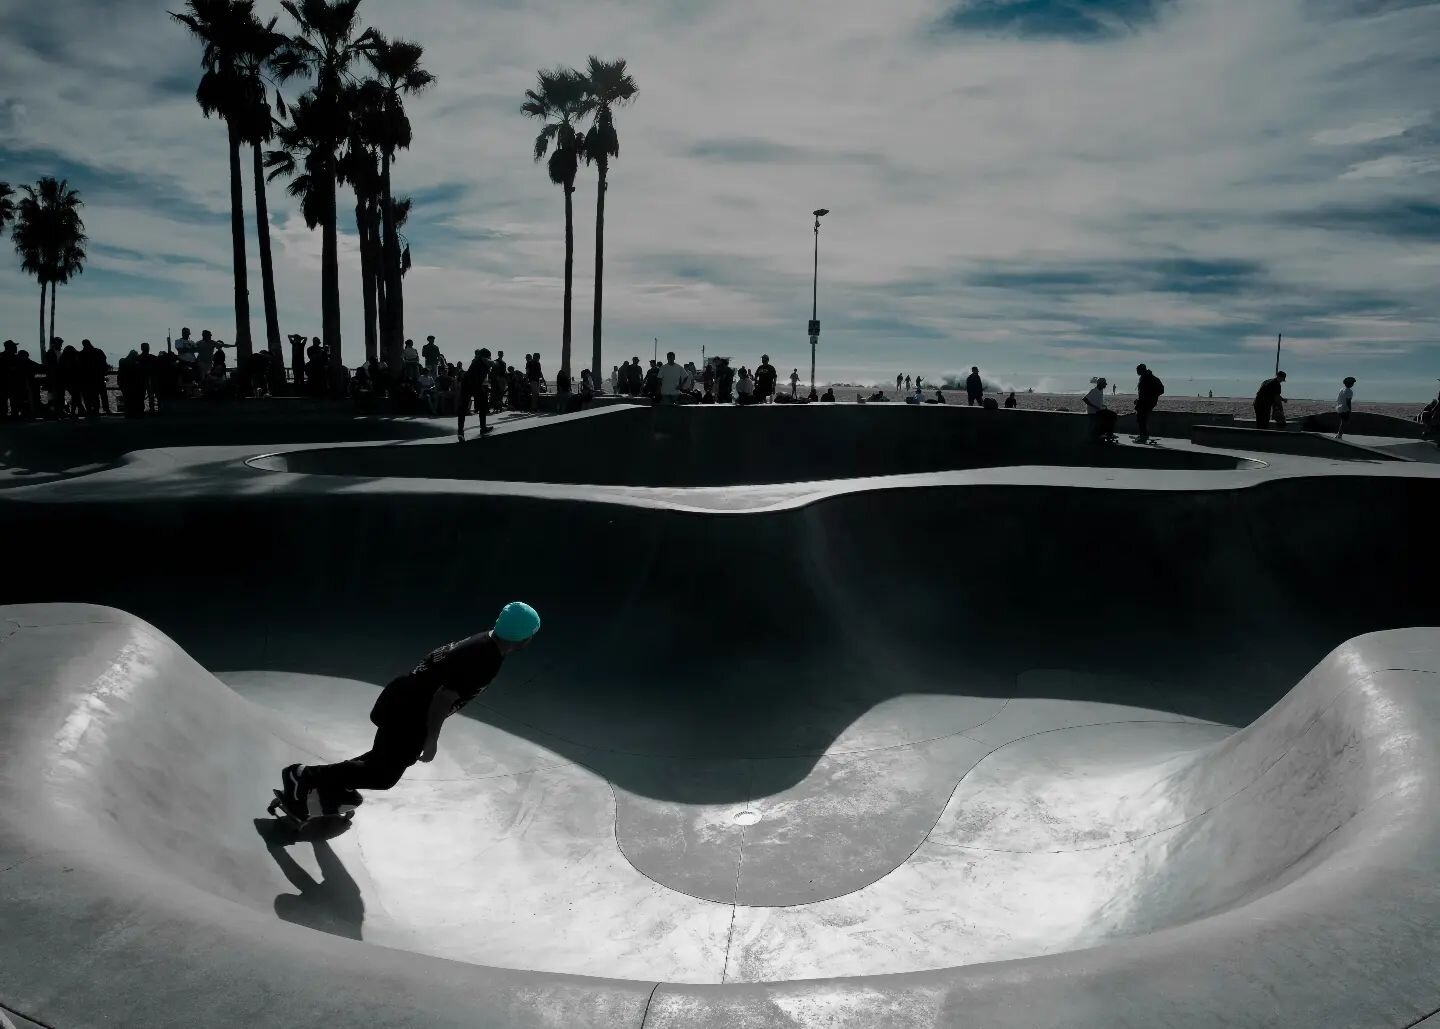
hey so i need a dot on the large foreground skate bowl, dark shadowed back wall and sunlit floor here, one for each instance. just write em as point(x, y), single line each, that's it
point(755, 762)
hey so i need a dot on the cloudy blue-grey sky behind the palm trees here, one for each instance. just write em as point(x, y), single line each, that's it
point(1046, 189)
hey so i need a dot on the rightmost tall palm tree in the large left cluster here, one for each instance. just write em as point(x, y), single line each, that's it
point(398, 74)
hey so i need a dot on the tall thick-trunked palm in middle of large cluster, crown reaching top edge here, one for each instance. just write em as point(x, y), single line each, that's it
point(326, 47)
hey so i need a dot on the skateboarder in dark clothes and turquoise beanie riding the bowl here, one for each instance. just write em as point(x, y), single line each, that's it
point(410, 715)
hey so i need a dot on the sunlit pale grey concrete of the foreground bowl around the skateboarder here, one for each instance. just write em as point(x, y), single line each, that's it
point(1075, 861)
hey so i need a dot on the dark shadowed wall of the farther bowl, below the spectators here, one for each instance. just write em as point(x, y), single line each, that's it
point(718, 447)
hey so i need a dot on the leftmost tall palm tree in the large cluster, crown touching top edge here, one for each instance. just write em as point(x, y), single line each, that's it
point(227, 28)
